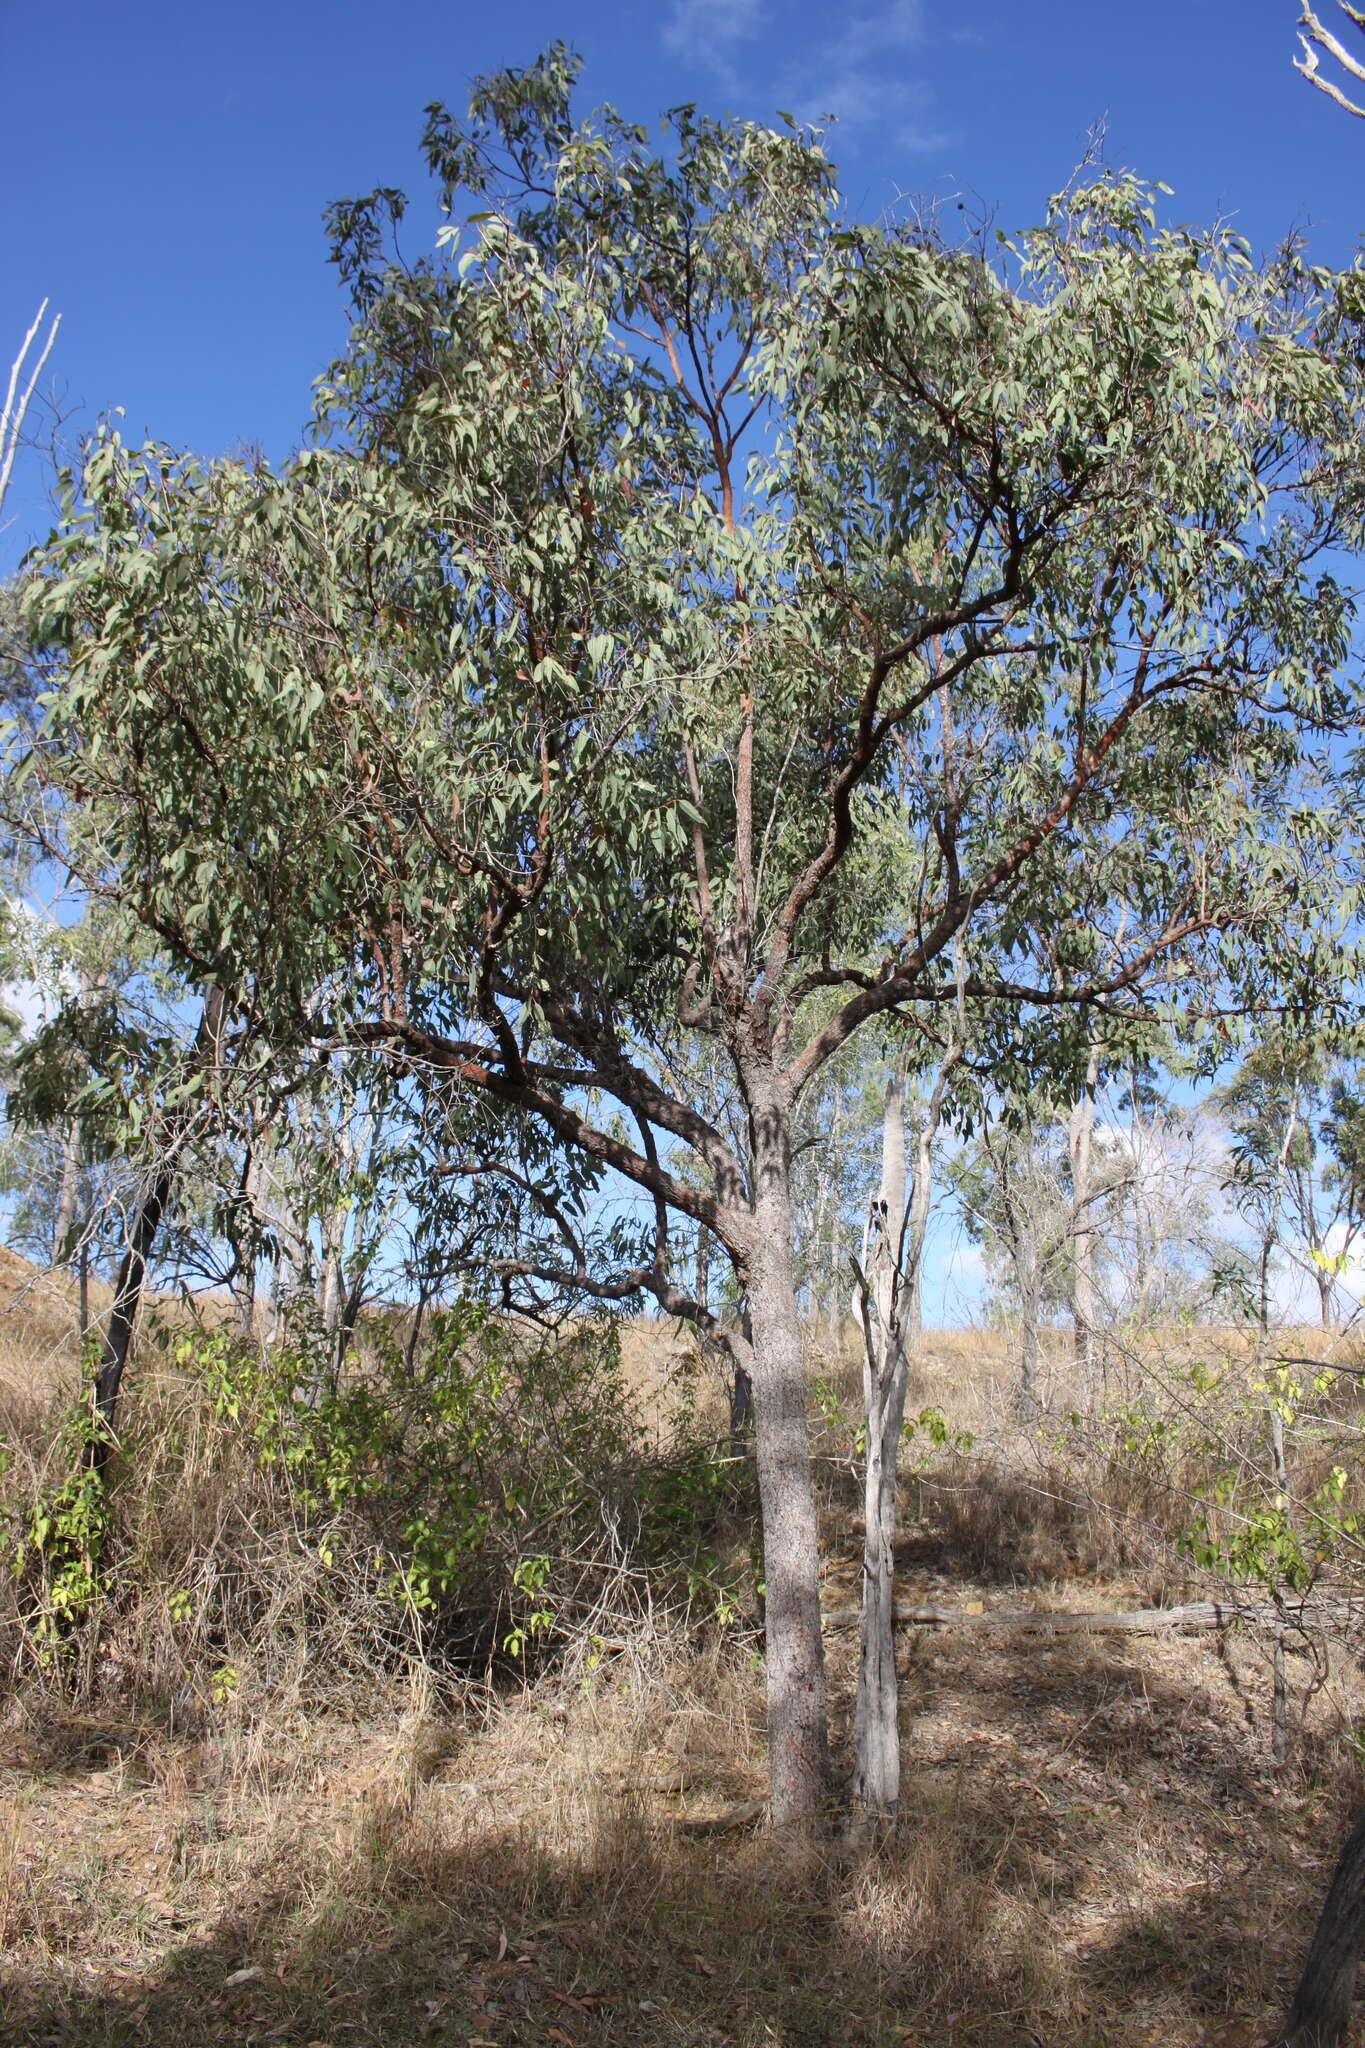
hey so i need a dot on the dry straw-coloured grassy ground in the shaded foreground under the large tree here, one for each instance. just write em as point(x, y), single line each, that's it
point(1094, 1852)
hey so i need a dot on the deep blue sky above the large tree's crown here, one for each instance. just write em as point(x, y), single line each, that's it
point(165, 167)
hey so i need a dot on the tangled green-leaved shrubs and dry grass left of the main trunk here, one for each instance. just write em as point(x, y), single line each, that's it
point(480, 1504)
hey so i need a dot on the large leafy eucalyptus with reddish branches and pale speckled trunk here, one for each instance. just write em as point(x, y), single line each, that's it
point(674, 554)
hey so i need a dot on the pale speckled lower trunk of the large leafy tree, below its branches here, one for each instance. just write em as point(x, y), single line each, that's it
point(797, 1721)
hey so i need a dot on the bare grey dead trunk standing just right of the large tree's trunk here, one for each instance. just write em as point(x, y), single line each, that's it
point(883, 1297)
